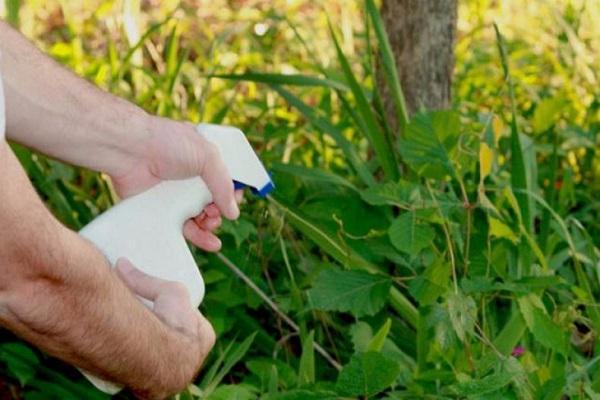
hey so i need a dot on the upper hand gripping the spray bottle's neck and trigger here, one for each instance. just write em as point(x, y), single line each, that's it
point(175, 150)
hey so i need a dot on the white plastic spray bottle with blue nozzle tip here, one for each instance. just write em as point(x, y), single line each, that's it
point(147, 228)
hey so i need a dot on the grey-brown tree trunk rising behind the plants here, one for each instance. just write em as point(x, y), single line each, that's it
point(422, 34)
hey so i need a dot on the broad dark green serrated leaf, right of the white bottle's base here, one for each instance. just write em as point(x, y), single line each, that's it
point(357, 292)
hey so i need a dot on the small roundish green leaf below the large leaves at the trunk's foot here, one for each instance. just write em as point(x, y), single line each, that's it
point(409, 235)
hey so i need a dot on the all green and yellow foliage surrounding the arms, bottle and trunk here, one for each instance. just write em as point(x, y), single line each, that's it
point(455, 258)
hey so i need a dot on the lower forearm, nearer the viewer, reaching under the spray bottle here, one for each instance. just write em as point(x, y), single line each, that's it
point(64, 298)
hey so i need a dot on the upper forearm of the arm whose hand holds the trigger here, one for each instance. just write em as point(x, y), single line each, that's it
point(52, 110)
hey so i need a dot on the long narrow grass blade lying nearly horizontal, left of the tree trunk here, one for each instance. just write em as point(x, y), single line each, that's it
point(282, 79)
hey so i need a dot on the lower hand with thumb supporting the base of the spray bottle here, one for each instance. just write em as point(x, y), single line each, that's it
point(171, 304)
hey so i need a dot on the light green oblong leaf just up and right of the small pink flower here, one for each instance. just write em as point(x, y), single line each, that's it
point(541, 326)
